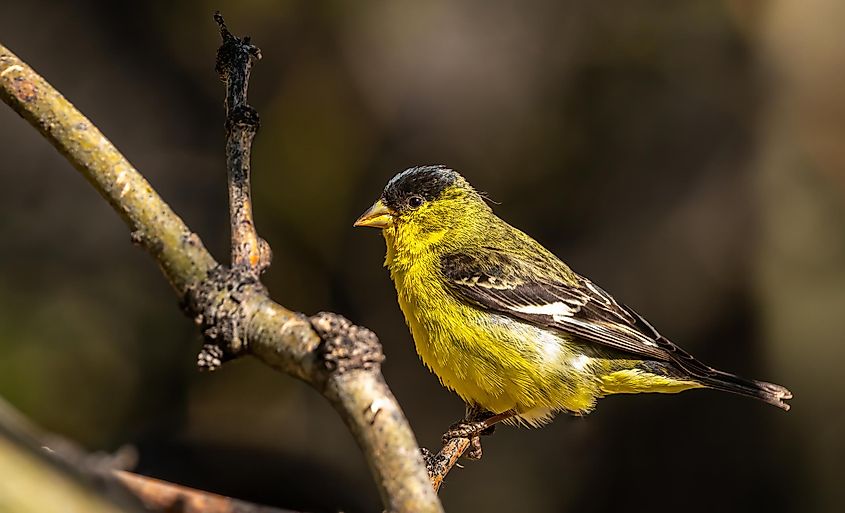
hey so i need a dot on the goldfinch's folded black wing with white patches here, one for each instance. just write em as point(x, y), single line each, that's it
point(521, 289)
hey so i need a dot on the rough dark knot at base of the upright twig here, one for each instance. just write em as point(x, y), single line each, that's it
point(218, 306)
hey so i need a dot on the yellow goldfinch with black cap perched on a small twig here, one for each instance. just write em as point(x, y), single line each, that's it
point(507, 325)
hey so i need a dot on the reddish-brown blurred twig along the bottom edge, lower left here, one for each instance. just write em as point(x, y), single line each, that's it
point(172, 498)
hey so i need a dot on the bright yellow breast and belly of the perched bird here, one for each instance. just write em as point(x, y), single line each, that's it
point(494, 362)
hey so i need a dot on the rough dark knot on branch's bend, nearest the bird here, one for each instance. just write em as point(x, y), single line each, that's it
point(344, 345)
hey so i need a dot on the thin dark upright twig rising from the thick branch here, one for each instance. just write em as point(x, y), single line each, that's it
point(234, 63)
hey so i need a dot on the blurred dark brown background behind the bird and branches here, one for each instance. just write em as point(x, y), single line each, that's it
point(686, 156)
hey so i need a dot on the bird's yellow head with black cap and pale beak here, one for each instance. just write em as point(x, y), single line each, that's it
point(422, 205)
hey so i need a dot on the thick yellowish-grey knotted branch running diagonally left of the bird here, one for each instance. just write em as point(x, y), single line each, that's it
point(234, 310)
